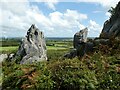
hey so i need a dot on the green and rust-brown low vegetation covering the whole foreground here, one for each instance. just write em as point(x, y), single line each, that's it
point(97, 71)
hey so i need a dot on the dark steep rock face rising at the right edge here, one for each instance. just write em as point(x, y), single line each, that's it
point(111, 27)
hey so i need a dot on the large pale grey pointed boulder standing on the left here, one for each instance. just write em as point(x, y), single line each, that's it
point(33, 47)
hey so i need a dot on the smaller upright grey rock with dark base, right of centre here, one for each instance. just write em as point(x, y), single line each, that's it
point(81, 46)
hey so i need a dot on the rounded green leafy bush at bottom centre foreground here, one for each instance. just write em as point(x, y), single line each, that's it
point(72, 75)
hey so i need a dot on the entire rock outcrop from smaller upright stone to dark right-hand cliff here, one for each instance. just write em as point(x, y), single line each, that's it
point(110, 31)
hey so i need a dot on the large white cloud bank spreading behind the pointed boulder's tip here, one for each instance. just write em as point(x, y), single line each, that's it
point(16, 21)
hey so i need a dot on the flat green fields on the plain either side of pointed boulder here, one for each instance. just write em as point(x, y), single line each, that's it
point(11, 45)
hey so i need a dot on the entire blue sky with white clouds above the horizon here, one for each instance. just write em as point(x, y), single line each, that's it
point(55, 18)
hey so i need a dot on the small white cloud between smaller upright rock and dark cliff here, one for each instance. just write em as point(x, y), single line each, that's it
point(94, 28)
